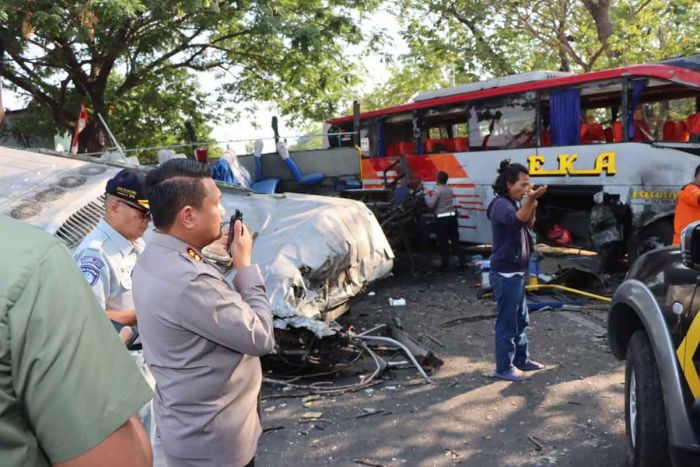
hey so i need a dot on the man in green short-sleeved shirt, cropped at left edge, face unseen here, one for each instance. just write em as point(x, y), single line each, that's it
point(69, 390)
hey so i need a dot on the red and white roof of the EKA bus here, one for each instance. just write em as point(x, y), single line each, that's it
point(685, 70)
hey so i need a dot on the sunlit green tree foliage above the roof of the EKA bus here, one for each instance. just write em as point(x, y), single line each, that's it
point(460, 41)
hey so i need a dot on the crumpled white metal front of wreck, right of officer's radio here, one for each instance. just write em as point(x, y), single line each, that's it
point(315, 252)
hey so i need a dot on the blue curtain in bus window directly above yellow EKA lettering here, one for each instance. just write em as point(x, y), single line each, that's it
point(565, 117)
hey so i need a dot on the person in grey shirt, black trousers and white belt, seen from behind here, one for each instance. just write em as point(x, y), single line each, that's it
point(441, 201)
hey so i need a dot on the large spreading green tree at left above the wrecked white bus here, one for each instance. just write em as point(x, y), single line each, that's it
point(134, 61)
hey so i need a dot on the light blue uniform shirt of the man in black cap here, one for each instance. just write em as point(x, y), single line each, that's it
point(107, 260)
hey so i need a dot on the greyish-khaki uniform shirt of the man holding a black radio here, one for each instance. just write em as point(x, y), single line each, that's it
point(202, 337)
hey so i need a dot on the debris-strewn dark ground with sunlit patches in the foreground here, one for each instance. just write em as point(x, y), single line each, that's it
point(572, 413)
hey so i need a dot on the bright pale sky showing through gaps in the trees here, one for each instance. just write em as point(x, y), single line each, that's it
point(376, 73)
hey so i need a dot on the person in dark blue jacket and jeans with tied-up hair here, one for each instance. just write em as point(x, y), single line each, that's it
point(511, 213)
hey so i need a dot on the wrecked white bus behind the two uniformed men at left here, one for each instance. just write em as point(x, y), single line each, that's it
point(315, 252)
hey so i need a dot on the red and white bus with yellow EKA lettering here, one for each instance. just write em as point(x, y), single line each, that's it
point(614, 146)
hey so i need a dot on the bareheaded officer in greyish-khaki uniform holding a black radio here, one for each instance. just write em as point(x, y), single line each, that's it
point(202, 335)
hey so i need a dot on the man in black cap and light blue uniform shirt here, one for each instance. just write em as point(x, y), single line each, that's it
point(107, 255)
